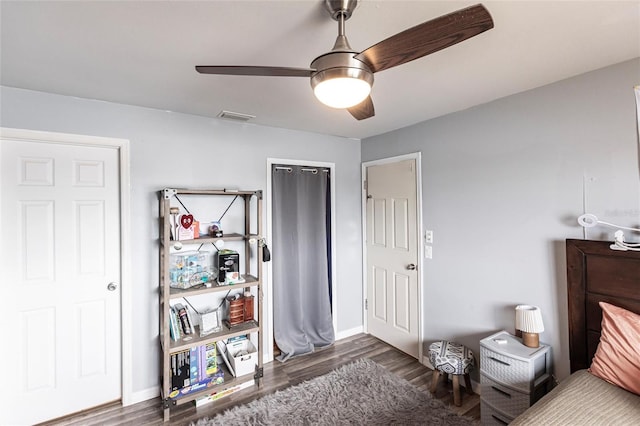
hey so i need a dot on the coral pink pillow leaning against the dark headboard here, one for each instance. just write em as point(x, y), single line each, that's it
point(617, 359)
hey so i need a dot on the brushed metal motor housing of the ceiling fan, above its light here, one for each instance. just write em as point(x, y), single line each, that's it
point(339, 65)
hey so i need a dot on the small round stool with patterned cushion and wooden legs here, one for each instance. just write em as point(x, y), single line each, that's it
point(455, 359)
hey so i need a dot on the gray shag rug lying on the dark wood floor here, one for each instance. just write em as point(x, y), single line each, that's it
point(359, 393)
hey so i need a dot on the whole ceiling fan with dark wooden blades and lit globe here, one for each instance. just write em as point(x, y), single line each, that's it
point(342, 78)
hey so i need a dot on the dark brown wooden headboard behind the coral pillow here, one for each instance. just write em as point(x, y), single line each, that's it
point(597, 273)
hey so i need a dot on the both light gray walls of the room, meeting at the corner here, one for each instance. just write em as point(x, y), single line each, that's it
point(502, 186)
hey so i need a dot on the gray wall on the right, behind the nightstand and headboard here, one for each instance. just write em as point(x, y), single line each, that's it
point(503, 184)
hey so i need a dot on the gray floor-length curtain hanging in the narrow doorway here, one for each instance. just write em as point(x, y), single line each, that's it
point(301, 279)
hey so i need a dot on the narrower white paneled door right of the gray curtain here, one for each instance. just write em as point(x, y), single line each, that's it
point(392, 255)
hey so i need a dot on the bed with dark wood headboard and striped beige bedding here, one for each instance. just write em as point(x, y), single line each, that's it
point(595, 273)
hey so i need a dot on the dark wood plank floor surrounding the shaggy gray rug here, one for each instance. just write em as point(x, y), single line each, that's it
point(279, 375)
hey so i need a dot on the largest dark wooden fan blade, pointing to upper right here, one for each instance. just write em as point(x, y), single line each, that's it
point(427, 38)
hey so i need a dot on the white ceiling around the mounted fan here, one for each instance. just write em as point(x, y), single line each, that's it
point(144, 52)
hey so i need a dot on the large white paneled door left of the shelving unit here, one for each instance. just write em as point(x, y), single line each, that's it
point(60, 262)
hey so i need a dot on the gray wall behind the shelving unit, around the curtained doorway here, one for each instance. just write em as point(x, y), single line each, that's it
point(222, 154)
